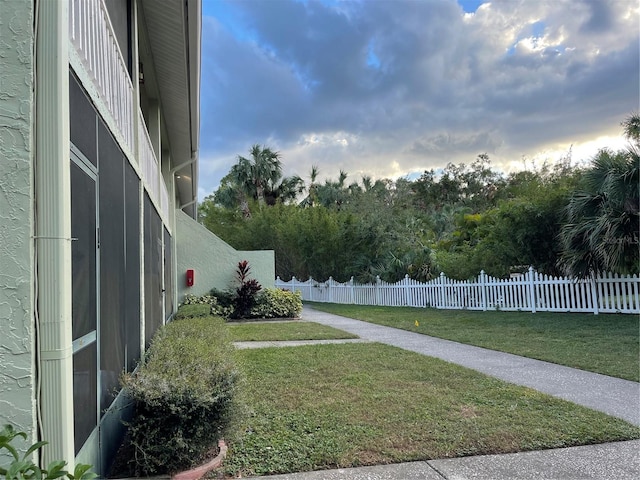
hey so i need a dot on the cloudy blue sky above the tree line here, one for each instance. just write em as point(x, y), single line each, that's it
point(391, 88)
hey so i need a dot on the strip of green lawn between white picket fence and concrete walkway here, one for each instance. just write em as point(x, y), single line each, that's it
point(606, 343)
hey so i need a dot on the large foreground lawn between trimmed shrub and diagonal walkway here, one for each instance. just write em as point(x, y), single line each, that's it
point(319, 407)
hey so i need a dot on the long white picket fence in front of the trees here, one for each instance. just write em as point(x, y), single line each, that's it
point(531, 292)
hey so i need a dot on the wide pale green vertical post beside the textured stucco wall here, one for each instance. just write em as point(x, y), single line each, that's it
point(53, 232)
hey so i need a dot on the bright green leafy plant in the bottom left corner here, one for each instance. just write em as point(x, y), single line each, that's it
point(22, 467)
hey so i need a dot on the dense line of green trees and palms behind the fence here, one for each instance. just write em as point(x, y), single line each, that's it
point(562, 220)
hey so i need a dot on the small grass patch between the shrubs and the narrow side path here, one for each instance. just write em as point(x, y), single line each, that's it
point(289, 330)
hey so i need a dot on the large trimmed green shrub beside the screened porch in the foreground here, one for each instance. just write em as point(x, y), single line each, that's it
point(186, 396)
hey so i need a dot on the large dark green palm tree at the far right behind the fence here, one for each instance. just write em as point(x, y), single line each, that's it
point(603, 228)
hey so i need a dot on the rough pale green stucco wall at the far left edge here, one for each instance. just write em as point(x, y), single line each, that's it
point(17, 399)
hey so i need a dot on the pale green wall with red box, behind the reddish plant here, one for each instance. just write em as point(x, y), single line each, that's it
point(213, 260)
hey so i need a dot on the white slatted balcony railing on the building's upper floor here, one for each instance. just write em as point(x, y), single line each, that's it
point(93, 38)
